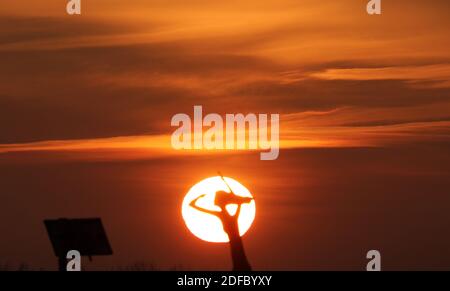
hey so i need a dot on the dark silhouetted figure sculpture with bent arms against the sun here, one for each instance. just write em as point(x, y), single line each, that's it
point(230, 225)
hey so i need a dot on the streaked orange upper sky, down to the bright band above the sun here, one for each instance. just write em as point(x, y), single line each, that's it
point(113, 77)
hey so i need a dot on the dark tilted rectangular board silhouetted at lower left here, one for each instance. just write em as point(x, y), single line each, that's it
point(84, 235)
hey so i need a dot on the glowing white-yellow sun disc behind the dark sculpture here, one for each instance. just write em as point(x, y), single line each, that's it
point(209, 227)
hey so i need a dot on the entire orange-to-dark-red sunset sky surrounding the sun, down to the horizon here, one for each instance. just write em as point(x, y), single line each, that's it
point(364, 103)
